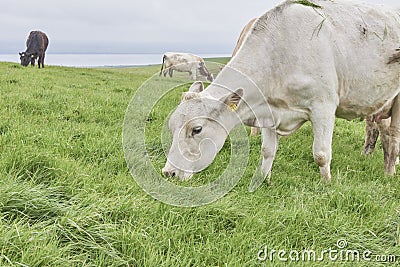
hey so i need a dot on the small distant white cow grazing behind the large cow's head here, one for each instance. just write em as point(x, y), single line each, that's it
point(185, 62)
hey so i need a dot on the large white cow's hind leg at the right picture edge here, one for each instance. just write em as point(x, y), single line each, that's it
point(394, 138)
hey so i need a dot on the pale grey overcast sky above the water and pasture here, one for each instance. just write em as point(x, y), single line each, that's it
point(131, 26)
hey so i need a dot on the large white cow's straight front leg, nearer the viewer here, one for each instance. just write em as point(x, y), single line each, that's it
point(323, 121)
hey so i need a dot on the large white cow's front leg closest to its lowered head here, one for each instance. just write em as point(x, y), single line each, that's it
point(268, 151)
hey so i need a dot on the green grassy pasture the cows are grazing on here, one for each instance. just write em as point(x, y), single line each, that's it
point(67, 197)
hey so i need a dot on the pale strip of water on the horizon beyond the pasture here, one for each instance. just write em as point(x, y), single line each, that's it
point(100, 60)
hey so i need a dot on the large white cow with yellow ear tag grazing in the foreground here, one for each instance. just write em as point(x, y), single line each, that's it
point(304, 62)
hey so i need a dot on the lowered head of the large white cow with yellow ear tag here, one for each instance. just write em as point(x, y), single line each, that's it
point(199, 128)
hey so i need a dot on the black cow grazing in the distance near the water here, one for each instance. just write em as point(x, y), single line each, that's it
point(36, 46)
